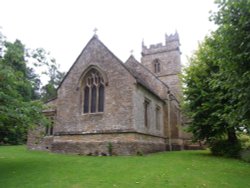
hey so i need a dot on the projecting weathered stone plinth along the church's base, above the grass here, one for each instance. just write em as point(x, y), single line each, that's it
point(98, 144)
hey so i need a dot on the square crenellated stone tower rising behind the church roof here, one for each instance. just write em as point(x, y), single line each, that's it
point(164, 61)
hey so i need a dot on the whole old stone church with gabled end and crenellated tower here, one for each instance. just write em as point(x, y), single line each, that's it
point(105, 106)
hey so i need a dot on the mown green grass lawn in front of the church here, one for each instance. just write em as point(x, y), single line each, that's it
point(22, 168)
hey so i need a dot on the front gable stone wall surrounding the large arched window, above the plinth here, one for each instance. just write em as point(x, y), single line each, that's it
point(118, 94)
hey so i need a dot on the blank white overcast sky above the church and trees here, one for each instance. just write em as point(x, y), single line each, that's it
point(64, 27)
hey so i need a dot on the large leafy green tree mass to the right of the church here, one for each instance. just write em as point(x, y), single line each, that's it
point(217, 93)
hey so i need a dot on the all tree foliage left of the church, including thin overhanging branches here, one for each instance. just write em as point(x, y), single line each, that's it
point(20, 90)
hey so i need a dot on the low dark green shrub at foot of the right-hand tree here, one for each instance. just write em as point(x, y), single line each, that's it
point(225, 148)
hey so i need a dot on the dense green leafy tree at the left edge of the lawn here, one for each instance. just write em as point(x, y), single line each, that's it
point(18, 110)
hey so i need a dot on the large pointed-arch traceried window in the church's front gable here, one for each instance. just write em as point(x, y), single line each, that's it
point(93, 92)
